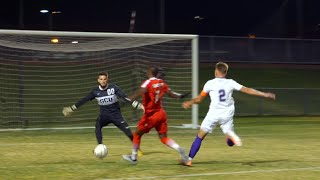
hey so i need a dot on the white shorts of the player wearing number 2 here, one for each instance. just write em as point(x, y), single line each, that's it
point(210, 122)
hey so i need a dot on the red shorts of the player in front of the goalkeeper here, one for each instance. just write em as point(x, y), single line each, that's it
point(157, 120)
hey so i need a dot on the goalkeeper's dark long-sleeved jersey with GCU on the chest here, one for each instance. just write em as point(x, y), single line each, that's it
point(107, 98)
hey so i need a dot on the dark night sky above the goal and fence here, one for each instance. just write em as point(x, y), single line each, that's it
point(267, 18)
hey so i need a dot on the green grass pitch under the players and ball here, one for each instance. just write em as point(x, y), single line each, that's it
point(274, 148)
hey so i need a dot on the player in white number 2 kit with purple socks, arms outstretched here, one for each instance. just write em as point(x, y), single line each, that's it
point(221, 109)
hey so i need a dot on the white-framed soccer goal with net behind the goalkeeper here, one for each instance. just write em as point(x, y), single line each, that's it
point(42, 71)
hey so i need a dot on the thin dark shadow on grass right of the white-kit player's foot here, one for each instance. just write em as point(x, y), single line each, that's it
point(247, 163)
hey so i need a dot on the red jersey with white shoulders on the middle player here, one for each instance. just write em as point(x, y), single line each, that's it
point(152, 99)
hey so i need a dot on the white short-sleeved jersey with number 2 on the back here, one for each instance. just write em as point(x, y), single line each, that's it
point(220, 91)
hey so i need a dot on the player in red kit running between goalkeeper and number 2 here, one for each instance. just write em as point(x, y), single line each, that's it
point(152, 91)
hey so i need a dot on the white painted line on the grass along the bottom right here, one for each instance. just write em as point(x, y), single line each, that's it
point(217, 173)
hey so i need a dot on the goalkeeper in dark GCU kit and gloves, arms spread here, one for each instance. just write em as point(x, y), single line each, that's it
point(107, 96)
